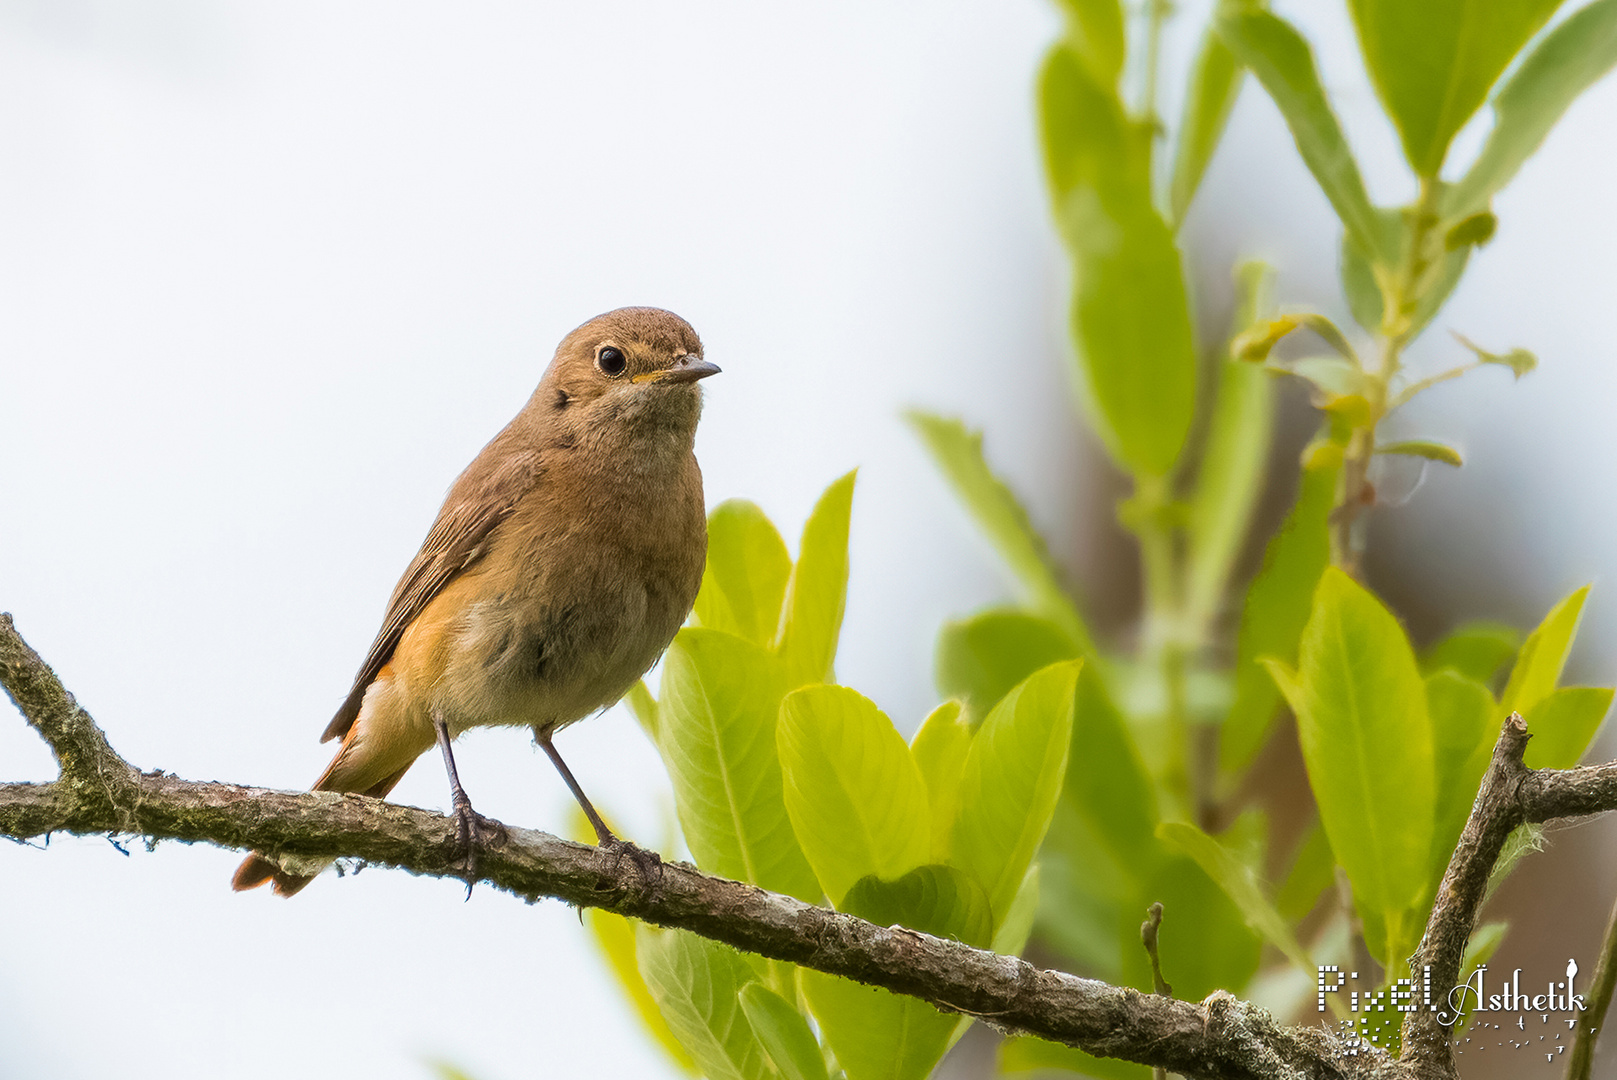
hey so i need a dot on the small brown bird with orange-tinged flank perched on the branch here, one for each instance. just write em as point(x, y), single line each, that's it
point(562, 565)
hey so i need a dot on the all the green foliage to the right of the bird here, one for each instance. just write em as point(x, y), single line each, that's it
point(1066, 783)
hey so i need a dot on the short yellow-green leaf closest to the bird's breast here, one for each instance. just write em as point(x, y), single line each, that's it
point(746, 576)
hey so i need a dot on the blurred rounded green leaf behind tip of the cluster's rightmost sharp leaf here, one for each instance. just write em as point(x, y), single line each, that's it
point(981, 659)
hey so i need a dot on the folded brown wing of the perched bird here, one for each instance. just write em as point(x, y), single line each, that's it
point(476, 507)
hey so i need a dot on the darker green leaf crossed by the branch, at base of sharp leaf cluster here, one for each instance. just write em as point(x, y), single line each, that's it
point(879, 1036)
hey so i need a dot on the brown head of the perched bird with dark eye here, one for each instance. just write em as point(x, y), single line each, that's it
point(635, 369)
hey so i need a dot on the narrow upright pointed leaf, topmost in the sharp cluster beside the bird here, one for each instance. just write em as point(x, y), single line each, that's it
point(817, 589)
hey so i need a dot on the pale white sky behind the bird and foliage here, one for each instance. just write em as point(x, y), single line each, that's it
point(272, 274)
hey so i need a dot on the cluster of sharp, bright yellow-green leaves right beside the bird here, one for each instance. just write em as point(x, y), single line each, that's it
point(788, 782)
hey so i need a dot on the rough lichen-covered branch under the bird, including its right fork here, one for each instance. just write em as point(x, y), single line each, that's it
point(1222, 1039)
